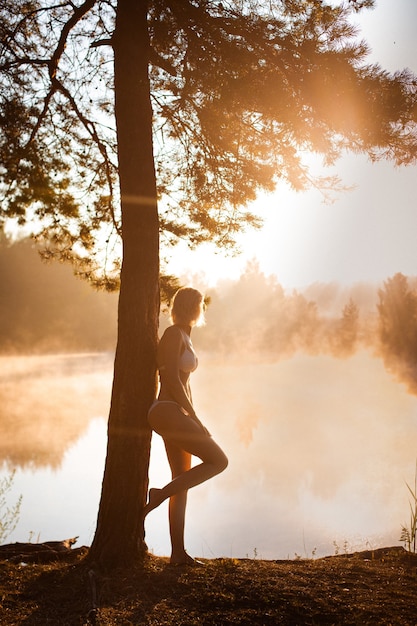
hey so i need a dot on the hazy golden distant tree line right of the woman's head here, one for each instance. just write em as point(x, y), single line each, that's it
point(256, 317)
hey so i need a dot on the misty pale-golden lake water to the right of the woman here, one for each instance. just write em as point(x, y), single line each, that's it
point(319, 450)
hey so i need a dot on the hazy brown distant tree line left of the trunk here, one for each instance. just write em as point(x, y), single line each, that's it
point(45, 308)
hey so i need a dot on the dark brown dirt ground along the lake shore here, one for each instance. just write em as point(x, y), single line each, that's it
point(374, 588)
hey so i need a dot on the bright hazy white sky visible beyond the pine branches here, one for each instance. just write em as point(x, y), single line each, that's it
point(367, 234)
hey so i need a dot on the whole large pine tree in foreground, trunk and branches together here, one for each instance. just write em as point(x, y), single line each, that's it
point(161, 120)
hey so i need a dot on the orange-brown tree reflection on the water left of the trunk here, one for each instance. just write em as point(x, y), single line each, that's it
point(46, 404)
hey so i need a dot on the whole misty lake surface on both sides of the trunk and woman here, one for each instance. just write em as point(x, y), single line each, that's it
point(320, 450)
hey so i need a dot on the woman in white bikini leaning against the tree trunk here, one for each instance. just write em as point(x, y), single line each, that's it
point(173, 417)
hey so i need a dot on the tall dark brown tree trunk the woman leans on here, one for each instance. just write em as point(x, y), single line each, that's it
point(119, 535)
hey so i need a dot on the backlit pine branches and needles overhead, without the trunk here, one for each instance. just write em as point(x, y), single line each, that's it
point(240, 91)
